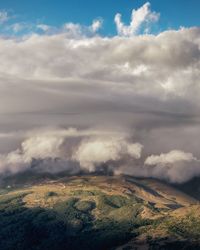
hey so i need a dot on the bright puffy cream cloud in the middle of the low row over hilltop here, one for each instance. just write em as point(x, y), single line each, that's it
point(96, 151)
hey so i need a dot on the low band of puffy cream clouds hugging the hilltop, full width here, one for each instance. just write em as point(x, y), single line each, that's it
point(74, 150)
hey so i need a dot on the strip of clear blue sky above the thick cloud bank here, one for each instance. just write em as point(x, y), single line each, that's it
point(173, 14)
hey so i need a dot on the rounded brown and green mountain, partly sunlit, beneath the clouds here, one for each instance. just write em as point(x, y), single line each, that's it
point(57, 212)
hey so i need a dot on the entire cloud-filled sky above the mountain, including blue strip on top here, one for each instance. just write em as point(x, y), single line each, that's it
point(87, 84)
